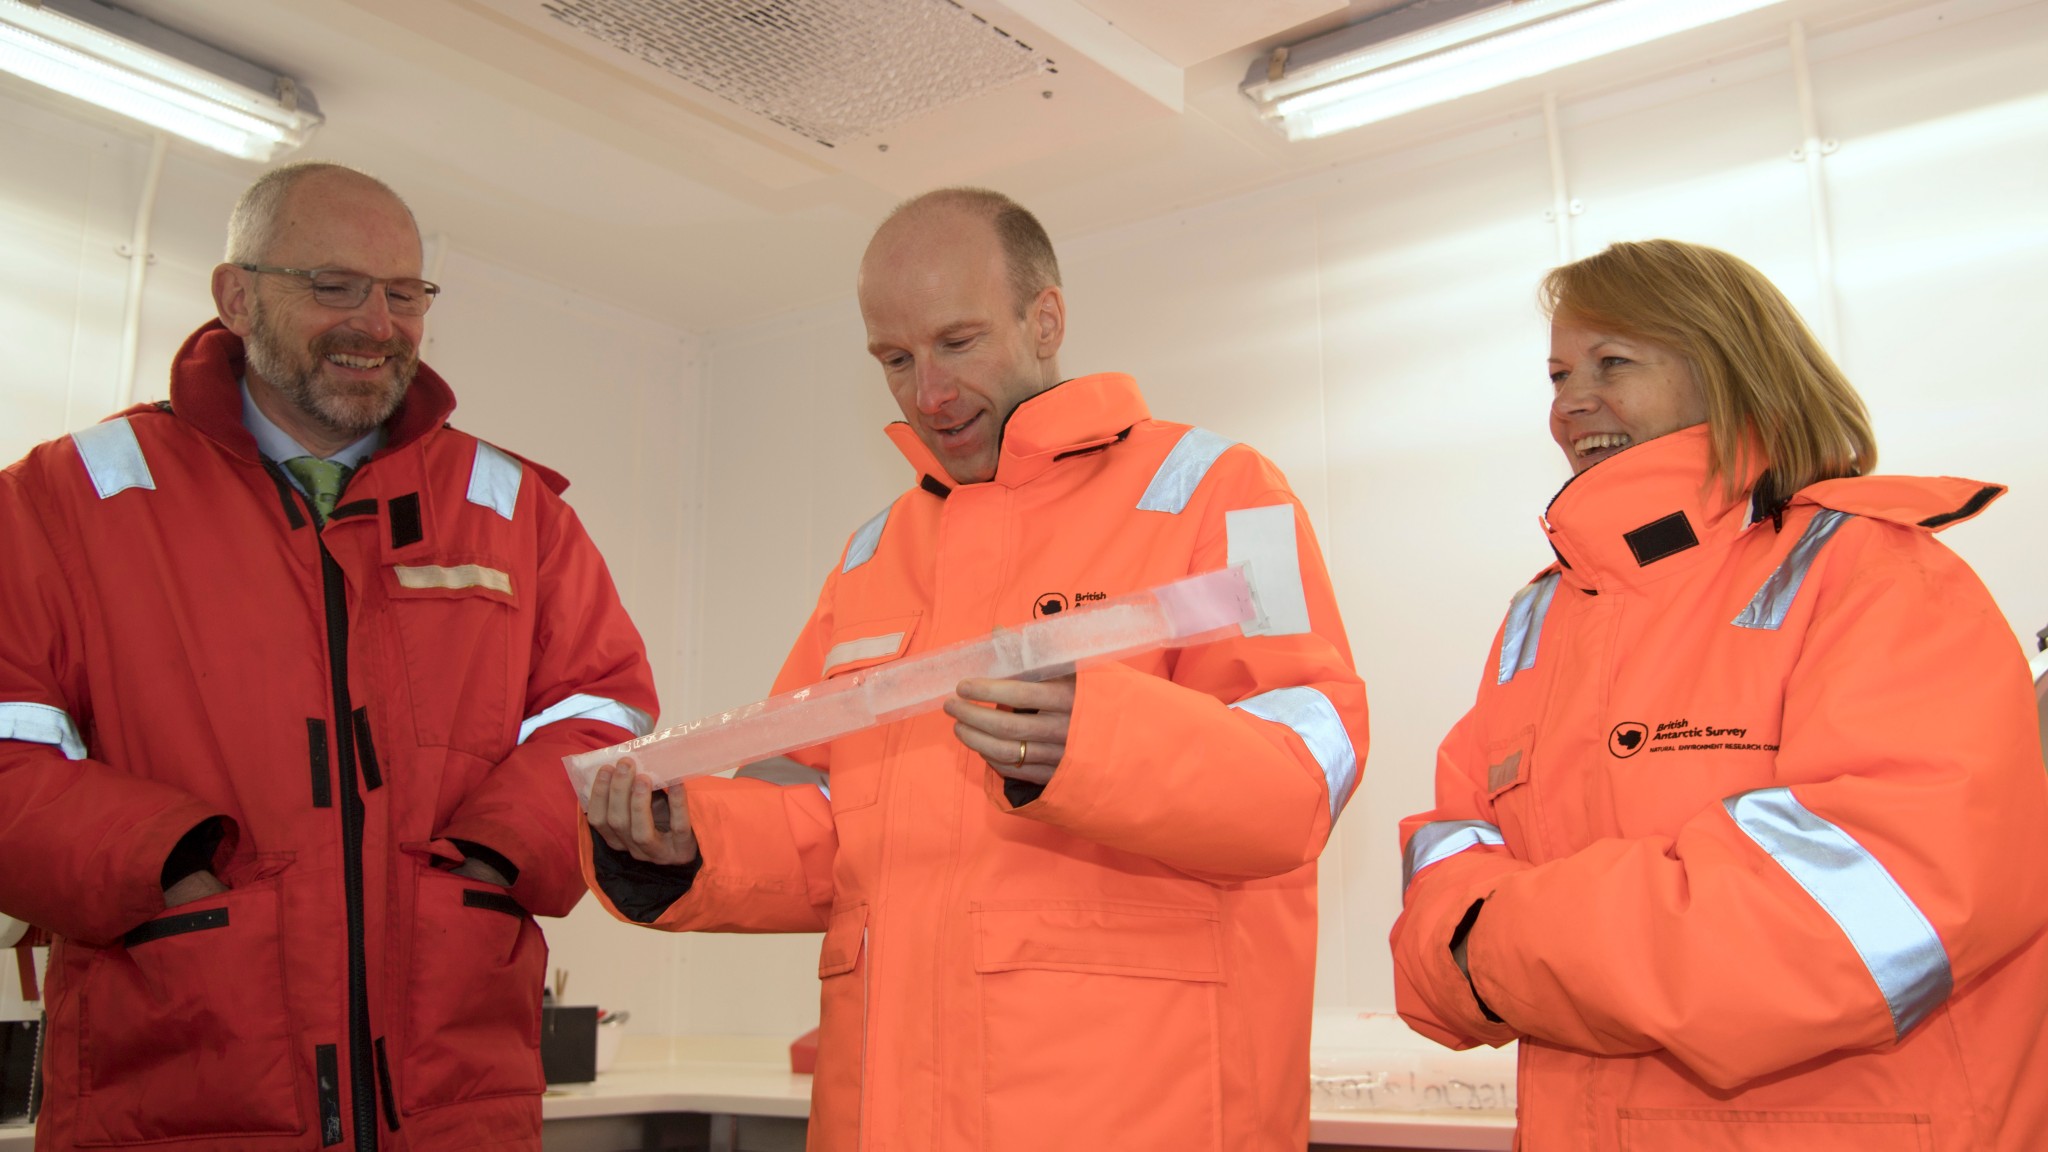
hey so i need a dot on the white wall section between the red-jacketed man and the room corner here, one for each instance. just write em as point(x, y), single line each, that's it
point(611, 401)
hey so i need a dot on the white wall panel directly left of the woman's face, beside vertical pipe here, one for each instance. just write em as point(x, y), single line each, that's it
point(1435, 399)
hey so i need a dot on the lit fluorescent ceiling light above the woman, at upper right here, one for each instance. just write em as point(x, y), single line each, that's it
point(1488, 48)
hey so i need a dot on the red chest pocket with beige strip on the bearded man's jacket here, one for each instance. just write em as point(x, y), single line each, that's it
point(454, 620)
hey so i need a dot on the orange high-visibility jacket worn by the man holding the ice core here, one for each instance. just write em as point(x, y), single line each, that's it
point(1127, 960)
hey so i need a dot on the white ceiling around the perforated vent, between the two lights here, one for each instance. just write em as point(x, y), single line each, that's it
point(603, 175)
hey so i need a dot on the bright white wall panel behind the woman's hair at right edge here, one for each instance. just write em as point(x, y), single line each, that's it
point(1943, 231)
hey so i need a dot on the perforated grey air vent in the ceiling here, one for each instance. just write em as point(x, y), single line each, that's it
point(828, 71)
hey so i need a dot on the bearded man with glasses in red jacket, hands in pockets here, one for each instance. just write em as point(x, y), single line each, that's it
point(288, 671)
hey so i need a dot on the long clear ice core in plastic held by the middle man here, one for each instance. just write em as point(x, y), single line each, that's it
point(1172, 616)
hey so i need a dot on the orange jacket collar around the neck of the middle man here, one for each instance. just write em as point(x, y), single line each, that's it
point(1072, 417)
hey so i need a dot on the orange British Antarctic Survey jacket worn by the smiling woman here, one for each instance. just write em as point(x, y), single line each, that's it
point(1760, 823)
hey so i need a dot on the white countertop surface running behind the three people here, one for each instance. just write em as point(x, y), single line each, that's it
point(746, 1075)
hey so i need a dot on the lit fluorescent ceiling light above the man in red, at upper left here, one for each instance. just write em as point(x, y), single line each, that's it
point(144, 71)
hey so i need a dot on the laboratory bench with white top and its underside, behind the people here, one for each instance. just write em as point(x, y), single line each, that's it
point(728, 1094)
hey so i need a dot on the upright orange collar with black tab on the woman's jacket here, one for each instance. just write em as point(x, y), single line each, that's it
point(1646, 516)
